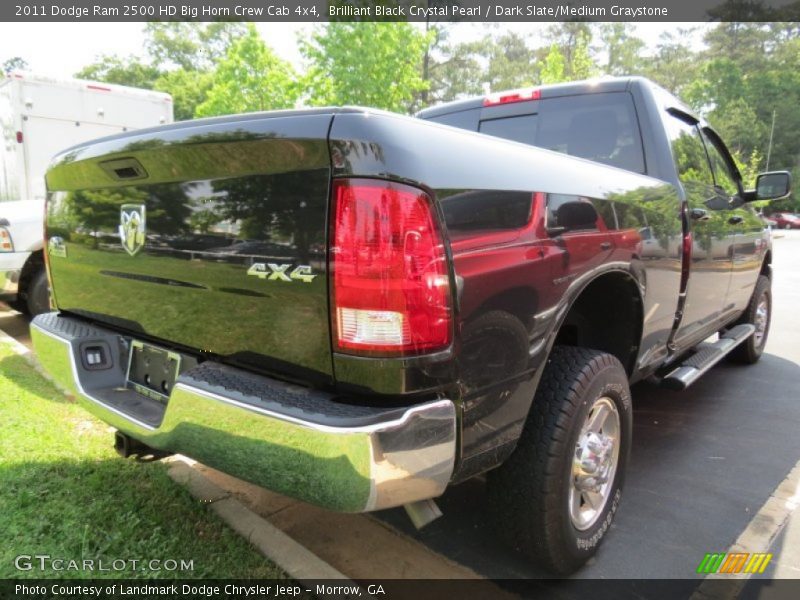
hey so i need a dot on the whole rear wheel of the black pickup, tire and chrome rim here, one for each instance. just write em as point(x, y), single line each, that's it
point(555, 497)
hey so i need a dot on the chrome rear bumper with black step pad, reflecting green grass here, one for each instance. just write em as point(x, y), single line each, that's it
point(295, 441)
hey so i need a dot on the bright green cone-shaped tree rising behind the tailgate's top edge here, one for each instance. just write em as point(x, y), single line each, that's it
point(250, 78)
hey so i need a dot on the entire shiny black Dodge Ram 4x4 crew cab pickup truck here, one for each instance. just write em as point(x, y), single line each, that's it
point(359, 309)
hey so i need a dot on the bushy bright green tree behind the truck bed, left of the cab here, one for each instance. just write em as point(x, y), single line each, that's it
point(366, 63)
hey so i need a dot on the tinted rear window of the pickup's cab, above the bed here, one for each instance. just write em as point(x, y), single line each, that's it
point(599, 127)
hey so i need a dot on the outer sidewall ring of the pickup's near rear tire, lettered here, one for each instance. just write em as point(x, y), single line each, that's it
point(612, 383)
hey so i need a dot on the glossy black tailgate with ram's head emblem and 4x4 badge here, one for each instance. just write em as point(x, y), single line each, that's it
point(209, 235)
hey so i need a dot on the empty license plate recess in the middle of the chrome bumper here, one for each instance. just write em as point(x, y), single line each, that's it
point(152, 371)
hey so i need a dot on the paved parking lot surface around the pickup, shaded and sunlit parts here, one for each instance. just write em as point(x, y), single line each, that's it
point(704, 462)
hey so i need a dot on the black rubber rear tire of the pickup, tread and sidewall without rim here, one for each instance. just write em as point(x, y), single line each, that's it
point(529, 494)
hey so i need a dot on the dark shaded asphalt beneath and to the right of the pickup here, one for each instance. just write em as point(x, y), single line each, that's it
point(703, 463)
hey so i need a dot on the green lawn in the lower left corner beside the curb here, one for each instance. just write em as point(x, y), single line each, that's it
point(65, 493)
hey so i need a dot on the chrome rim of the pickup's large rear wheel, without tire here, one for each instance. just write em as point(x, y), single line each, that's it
point(595, 463)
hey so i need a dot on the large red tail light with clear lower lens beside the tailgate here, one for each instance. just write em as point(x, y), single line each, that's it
point(391, 289)
